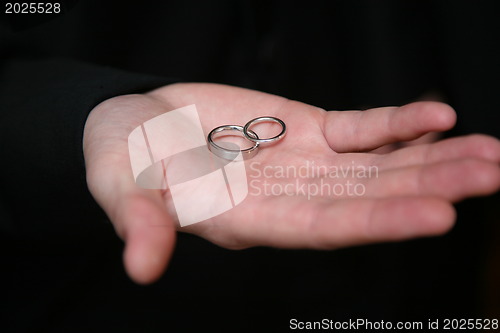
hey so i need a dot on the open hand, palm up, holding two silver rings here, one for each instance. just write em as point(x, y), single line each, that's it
point(411, 197)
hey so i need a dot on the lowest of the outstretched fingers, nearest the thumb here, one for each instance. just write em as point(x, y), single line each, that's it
point(294, 222)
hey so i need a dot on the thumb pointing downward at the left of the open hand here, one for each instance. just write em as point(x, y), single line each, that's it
point(139, 217)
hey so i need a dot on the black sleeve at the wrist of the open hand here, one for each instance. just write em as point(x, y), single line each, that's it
point(44, 105)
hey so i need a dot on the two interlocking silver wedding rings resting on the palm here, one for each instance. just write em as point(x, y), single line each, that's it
point(231, 154)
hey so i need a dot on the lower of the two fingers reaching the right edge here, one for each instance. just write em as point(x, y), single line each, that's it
point(452, 180)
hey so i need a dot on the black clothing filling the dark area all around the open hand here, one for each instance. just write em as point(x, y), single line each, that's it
point(62, 267)
